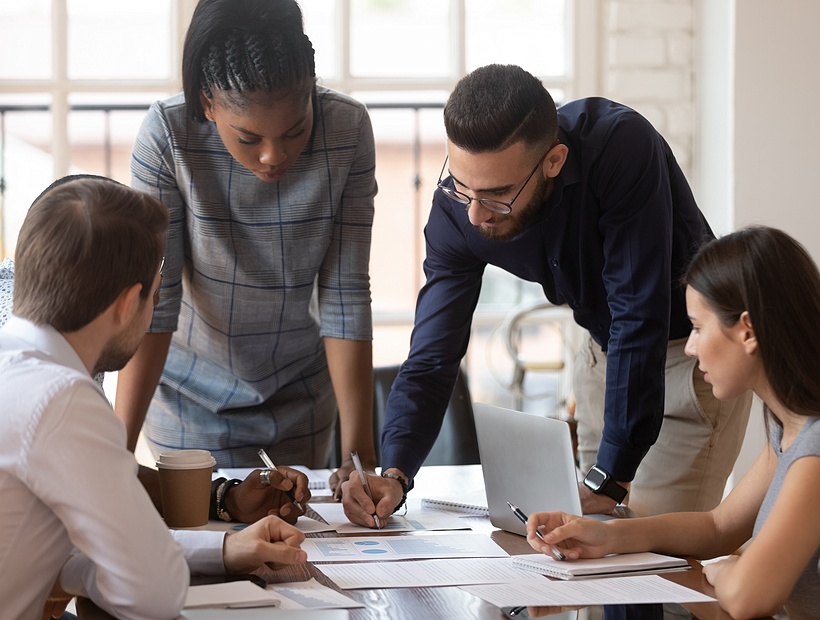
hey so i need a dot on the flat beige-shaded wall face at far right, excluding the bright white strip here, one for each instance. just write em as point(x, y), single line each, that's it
point(777, 126)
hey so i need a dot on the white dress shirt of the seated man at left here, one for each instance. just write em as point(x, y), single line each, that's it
point(71, 499)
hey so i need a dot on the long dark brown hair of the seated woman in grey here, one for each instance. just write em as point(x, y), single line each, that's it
point(766, 272)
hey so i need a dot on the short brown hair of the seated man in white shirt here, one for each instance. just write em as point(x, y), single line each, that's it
point(84, 241)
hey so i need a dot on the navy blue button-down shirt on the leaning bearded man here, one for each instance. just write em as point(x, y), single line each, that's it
point(612, 241)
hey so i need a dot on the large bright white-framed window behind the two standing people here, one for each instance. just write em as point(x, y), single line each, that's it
point(76, 101)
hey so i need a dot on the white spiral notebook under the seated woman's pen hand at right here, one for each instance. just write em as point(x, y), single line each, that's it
point(617, 565)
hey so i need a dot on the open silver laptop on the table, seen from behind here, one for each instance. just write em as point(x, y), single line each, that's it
point(527, 460)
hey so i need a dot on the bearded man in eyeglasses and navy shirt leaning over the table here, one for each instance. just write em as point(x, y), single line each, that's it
point(589, 202)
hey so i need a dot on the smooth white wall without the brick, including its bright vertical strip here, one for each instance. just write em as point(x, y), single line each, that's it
point(757, 157)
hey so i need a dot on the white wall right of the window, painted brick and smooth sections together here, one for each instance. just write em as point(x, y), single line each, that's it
point(733, 86)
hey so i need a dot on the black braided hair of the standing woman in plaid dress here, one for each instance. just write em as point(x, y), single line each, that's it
point(246, 49)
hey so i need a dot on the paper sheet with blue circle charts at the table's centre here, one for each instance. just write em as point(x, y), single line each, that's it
point(386, 548)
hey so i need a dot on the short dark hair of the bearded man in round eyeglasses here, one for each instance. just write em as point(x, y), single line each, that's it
point(497, 106)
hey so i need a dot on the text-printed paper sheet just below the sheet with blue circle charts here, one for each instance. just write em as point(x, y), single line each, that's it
point(423, 573)
